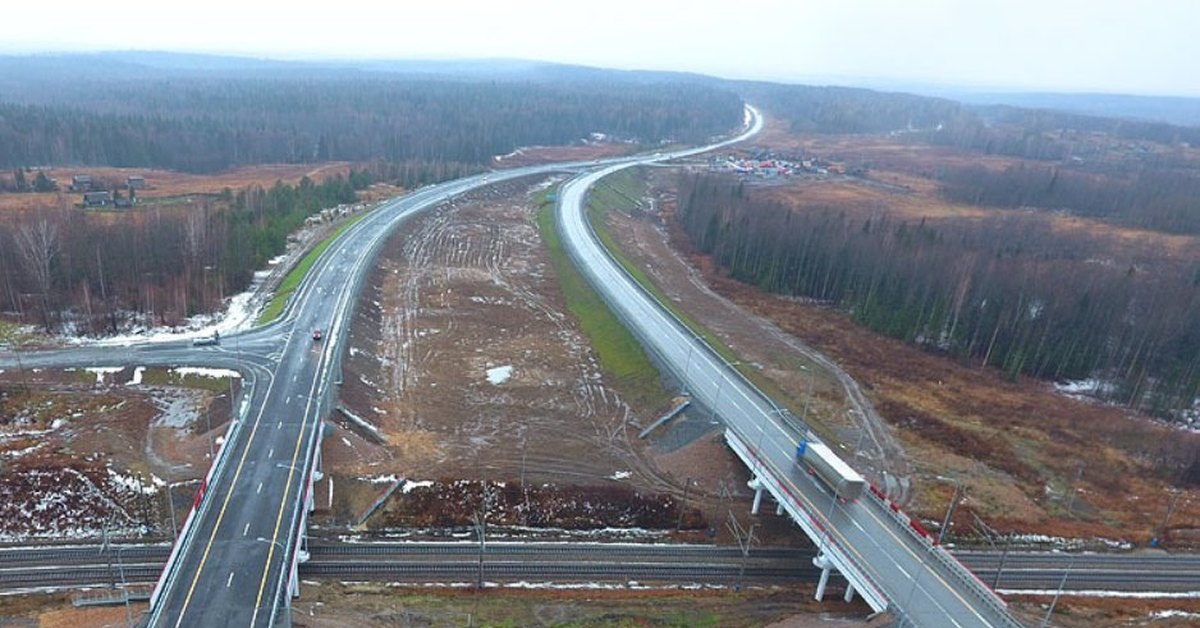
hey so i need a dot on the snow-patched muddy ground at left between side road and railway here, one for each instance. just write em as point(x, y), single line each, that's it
point(83, 451)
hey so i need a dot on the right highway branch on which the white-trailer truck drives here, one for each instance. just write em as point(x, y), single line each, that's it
point(901, 571)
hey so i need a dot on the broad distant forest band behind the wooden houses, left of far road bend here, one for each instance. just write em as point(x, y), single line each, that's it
point(207, 124)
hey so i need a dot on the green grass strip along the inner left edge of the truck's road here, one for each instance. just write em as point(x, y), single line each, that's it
point(621, 355)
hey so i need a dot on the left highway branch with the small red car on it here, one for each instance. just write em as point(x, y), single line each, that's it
point(239, 561)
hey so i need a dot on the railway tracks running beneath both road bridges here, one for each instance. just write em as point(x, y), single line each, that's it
point(82, 566)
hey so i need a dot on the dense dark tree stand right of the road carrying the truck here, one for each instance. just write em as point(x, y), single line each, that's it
point(1006, 291)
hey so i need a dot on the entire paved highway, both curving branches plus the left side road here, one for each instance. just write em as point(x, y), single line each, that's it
point(237, 560)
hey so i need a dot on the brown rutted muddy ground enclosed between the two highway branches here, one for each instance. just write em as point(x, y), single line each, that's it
point(465, 292)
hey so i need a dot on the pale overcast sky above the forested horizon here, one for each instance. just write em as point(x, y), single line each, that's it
point(1114, 46)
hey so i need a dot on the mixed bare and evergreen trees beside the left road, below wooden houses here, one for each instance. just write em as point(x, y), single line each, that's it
point(77, 272)
